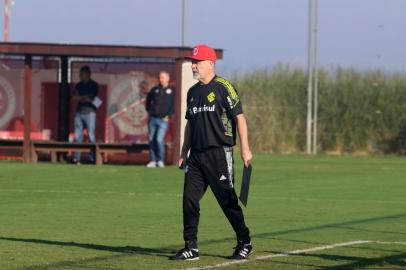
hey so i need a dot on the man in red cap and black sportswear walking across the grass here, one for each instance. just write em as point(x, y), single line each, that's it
point(214, 113)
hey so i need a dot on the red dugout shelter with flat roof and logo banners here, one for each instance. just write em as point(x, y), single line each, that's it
point(37, 82)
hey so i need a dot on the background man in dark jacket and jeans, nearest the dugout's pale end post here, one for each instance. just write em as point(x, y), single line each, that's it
point(159, 106)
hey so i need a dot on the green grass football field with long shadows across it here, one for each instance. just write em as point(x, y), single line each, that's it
point(129, 217)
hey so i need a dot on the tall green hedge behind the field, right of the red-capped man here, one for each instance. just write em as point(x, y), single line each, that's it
point(358, 111)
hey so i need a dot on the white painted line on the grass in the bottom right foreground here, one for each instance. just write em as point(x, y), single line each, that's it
point(295, 252)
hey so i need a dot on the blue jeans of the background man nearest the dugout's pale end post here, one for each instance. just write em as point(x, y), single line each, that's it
point(157, 128)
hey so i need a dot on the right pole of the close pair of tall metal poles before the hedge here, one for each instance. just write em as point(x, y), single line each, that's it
point(316, 76)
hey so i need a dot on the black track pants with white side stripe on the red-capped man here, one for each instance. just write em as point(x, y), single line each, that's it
point(213, 167)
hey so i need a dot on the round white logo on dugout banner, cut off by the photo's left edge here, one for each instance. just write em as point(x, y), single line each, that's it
point(7, 101)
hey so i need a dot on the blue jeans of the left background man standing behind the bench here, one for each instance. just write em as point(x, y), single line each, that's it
point(87, 120)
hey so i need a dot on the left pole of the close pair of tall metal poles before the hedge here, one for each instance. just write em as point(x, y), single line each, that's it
point(309, 85)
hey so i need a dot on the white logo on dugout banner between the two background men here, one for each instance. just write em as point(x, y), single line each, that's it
point(126, 94)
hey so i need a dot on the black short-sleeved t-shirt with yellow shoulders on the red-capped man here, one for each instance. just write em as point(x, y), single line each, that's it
point(211, 111)
